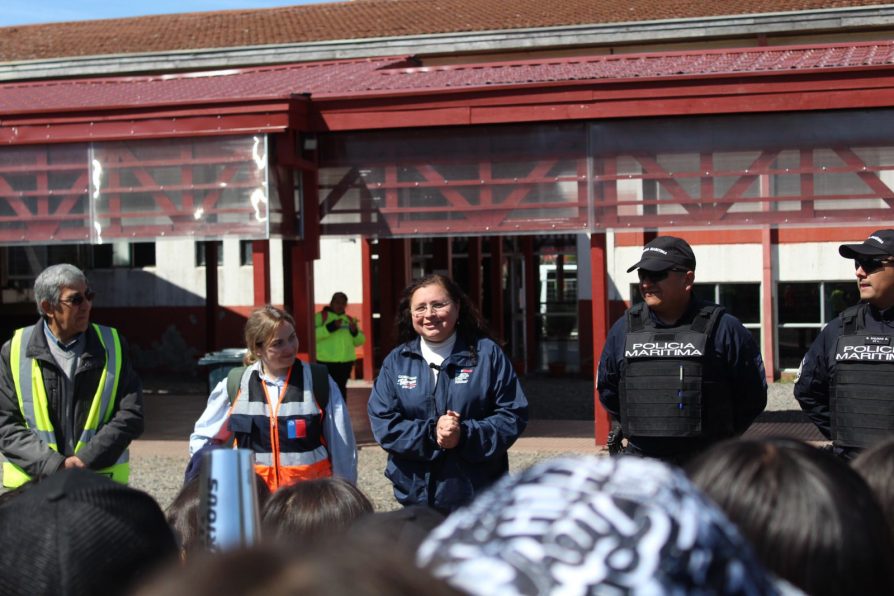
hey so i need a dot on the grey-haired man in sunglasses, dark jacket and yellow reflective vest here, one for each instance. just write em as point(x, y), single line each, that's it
point(69, 397)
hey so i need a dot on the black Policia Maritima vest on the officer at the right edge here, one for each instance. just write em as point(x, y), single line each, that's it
point(863, 384)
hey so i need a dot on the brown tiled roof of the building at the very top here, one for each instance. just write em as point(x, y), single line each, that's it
point(369, 19)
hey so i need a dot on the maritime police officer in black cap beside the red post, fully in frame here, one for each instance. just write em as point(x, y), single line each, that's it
point(678, 373)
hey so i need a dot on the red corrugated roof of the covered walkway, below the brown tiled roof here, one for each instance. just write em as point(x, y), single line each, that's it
point(396, 75)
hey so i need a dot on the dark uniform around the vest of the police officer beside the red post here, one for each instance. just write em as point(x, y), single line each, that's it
point(732, 356)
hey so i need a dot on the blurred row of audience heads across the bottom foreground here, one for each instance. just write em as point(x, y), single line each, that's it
point(746, 517)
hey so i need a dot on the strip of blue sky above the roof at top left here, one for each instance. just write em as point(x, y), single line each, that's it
point(25, 12)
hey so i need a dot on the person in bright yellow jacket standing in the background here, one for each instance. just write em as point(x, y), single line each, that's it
point(337, 336)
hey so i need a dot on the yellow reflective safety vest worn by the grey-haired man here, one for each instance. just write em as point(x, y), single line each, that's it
point(33, 403)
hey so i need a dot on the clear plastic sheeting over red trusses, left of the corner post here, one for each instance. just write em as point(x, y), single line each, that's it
point(44, 195)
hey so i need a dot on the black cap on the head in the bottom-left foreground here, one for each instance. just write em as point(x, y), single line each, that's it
point(77, 532)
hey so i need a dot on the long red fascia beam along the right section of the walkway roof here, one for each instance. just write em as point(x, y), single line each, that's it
point(584, 100)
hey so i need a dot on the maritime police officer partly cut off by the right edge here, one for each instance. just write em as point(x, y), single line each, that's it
point(846, 380)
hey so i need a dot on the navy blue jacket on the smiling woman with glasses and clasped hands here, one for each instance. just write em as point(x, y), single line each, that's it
point(406, 403)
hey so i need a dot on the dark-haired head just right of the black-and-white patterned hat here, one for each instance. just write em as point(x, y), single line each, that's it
point(812, 520)
